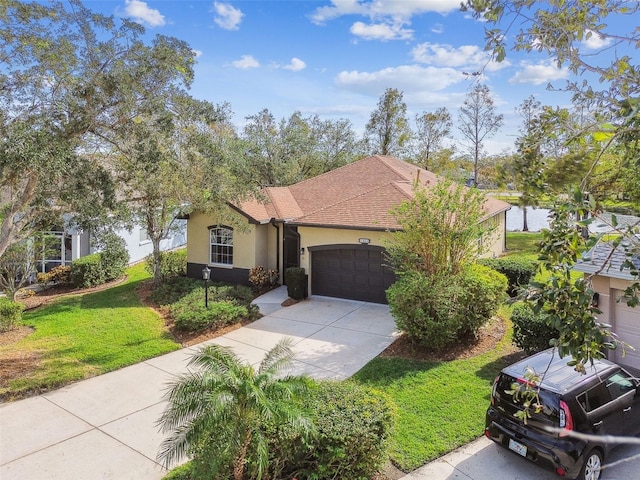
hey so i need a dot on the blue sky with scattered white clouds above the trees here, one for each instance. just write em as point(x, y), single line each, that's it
point(335, 58)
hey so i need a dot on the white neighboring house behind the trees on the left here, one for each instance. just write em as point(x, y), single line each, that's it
point(64, 246)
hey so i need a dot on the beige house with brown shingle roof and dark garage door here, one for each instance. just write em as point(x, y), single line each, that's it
point(333, 225)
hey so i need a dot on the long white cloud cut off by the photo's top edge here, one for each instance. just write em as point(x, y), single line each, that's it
point(398, 9)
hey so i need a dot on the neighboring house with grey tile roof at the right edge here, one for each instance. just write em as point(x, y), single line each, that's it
point(609, 281)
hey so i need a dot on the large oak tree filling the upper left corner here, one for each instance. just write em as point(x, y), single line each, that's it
point(70, 78)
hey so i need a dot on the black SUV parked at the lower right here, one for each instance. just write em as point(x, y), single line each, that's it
point(605, 401)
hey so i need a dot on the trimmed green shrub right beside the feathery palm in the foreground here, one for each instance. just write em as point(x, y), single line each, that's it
point(353, 427)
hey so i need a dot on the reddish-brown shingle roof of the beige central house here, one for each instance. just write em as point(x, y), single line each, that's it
point(357, 195)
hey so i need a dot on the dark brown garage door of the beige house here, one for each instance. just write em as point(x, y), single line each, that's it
point(354, 272)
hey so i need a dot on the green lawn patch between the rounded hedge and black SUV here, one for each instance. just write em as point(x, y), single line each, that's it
point(441, 405)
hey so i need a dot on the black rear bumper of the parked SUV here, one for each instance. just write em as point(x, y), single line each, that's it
point(544, 454)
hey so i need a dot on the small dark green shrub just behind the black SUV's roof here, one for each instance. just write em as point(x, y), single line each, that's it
point(531, 331)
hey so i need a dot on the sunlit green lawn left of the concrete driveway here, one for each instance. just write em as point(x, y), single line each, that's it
point(81, 336)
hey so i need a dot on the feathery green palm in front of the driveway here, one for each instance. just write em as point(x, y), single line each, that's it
point(219, 412)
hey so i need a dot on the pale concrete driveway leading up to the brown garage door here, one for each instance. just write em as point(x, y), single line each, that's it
point(105, 428)
